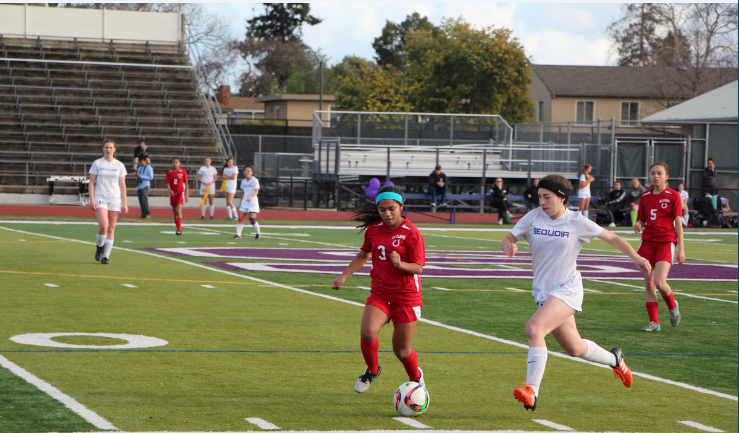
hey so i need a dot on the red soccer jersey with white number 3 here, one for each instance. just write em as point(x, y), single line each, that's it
point(389, 282)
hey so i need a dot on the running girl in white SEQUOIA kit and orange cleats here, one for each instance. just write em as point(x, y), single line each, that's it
point(556, 236)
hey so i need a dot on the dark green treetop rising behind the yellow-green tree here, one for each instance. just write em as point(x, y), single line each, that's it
point(390, 45)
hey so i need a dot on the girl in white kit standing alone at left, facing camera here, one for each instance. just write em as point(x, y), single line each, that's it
point(107, 198)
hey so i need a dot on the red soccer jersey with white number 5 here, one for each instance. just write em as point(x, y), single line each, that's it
point(658, 211)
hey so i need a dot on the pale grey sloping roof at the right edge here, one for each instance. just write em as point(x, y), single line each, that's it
point(717, 105)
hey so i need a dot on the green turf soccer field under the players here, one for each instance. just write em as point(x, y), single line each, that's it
point(247, 346)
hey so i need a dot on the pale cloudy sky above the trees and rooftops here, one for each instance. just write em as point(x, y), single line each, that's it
point(551, 33)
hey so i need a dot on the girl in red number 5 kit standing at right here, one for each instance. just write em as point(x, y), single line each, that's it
point(660, 214)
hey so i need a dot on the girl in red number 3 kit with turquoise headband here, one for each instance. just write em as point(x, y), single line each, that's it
point(398, 258)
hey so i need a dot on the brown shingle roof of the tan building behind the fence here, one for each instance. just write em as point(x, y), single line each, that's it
point(634, 82)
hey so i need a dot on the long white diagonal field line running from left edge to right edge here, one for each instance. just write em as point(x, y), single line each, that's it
point(430, 322)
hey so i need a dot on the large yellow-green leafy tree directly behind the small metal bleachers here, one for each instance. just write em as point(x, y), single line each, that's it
point(460, 69)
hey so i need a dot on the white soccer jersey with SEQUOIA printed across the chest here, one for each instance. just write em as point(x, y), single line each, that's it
point(555, 245)
